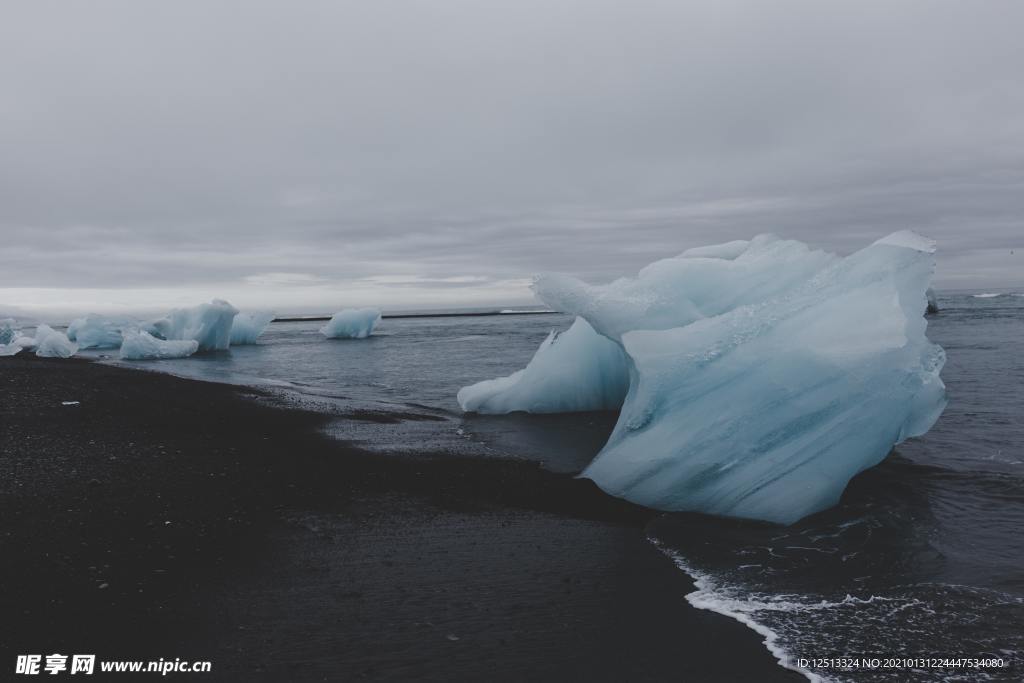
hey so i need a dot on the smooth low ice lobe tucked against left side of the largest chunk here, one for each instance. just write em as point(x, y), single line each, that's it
point(578, 370)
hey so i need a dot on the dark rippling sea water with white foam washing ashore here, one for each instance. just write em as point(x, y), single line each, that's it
point(924, 558)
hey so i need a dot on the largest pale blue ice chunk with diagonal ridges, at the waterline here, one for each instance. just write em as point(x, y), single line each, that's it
point(763, 375)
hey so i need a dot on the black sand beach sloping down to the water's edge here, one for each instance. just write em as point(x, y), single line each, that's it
point(160, 518)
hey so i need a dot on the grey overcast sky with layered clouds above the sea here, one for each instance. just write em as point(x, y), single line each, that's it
point(309, 155)
